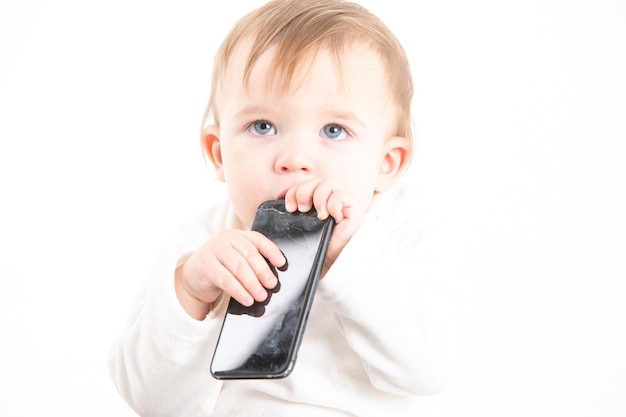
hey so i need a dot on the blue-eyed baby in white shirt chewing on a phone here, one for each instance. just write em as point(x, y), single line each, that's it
point(310, 103)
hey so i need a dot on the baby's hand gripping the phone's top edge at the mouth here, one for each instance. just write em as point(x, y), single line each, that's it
point(328, 199)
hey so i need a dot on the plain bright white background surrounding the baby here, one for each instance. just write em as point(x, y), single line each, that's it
point(520, 116)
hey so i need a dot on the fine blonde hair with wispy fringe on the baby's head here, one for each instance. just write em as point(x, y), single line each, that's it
point(298, 29)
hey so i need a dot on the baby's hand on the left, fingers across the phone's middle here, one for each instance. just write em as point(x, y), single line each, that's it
point(231, 262)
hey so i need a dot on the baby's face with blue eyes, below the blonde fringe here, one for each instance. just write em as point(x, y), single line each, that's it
point(330, 125)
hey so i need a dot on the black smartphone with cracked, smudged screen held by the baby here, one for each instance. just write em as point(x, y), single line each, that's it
point(262, 341)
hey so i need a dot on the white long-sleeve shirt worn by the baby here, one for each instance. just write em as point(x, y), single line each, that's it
point(386, 331)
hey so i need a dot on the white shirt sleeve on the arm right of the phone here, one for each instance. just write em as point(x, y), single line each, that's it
point(400, 299)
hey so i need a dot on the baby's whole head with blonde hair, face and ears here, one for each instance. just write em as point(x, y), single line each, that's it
point(326, 70)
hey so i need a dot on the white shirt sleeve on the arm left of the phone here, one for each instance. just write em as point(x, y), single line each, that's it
point(160, 362)
